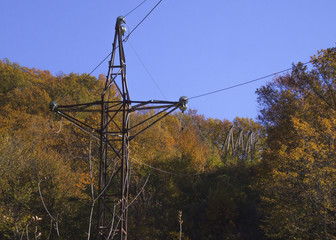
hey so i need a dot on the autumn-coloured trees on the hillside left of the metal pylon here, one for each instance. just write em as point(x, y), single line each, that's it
point(44, 179)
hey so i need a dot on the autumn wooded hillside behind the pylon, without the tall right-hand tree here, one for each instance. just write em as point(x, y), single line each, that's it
point(47, 166)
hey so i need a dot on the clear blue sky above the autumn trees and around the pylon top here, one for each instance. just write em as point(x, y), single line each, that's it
point(189, 47)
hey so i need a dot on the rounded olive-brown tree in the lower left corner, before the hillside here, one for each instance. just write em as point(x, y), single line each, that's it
point(38, 190)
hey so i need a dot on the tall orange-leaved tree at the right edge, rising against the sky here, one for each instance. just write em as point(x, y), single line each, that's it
point(298, 111)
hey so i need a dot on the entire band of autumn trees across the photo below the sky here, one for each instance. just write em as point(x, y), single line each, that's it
point(282, 188)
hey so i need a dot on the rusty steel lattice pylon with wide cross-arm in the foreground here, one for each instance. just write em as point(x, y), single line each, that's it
point(115, 134)
